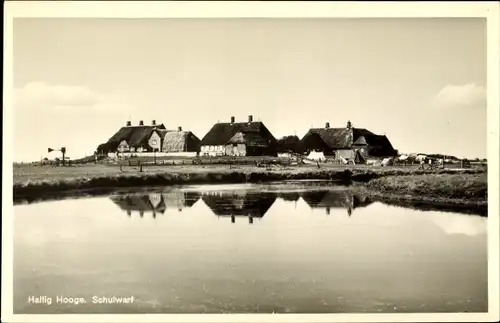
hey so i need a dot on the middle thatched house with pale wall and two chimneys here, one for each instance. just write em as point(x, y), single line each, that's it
point(250, 138)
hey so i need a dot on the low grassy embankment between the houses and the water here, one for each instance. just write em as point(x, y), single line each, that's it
point(393, 184)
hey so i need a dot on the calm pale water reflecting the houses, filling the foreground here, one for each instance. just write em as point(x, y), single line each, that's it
point(247, 248)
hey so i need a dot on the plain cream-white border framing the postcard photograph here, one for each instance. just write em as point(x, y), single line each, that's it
point(146, 9)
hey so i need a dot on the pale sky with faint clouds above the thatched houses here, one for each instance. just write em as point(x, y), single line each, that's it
point(419, 81)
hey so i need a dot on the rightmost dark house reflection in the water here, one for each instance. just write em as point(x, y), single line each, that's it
point(329, 199)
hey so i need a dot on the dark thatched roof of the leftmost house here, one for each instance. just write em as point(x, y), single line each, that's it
point(135, 136)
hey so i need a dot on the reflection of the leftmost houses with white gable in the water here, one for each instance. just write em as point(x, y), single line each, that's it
point(154, 202)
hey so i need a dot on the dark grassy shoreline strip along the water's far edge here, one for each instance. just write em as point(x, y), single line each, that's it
point(385, 185)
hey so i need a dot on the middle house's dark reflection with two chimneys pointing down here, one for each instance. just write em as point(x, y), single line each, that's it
point(252, 205)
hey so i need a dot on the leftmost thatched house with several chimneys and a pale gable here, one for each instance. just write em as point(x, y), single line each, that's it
point(130, 138)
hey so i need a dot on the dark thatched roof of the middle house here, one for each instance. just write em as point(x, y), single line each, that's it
point(221, 133)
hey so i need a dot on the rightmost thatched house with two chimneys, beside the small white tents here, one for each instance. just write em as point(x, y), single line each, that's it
point(349, 143)
